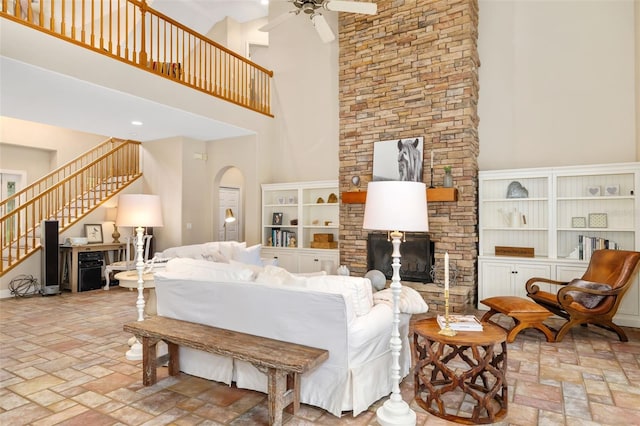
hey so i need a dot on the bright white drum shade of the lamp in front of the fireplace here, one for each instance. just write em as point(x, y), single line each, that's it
point(396, 206)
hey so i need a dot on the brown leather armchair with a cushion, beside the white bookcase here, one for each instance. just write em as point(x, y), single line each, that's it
point(594, 298)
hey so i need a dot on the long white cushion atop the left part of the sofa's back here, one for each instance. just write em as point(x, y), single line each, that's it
point(203, 270)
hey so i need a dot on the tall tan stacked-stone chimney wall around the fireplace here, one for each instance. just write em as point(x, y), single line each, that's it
point(412, 70)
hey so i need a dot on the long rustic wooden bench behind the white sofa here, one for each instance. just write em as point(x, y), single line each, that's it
point(282, 362)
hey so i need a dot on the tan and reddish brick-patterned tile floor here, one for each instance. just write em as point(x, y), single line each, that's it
point(62, 363)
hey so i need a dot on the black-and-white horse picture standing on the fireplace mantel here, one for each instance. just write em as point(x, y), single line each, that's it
point(398, 159)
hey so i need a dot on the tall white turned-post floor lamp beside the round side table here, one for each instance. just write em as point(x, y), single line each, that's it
point(396, 207)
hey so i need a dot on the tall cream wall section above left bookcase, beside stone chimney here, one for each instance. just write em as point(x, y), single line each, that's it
point(305, 99)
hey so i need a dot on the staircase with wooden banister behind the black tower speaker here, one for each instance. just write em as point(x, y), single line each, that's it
point(67, 195)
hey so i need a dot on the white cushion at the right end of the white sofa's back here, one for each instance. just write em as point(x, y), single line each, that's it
point(358, 288)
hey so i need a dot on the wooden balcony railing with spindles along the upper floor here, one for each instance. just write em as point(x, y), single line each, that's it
point(131, 31)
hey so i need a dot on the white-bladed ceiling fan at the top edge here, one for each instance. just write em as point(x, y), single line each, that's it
point(310, 7)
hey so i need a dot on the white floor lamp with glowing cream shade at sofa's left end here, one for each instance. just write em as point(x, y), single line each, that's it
point(139, 211)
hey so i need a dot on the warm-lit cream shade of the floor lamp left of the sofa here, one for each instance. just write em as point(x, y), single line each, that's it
point(139, 210)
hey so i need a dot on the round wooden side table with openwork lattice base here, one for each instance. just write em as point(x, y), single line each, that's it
point(465, 367)
